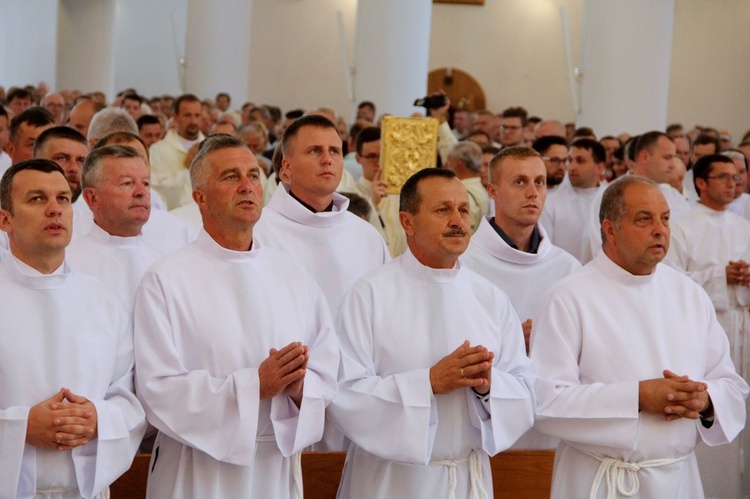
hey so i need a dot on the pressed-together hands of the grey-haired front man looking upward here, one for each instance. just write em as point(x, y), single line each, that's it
point(284, 371)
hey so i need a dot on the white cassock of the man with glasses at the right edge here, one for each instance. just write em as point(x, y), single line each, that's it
point(703, 243)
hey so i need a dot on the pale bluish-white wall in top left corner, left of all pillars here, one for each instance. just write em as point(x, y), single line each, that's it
point(28, 41)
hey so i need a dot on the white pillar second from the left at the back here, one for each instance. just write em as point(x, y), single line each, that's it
point(217, 49)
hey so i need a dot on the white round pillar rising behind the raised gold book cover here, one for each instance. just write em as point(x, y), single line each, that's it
point(392, 53)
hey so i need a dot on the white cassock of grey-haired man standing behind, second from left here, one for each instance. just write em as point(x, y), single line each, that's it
point(119, 262)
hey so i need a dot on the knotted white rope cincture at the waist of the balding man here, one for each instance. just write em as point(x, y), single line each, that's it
point(615, 471)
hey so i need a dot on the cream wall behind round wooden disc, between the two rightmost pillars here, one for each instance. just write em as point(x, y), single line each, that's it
point(514, 49)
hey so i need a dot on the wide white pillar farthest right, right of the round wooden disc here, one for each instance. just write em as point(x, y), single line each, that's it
point(626, 55)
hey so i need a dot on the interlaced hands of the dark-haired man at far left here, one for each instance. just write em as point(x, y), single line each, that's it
point(63, 422)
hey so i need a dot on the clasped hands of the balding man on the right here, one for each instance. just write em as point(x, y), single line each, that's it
point(674, 396)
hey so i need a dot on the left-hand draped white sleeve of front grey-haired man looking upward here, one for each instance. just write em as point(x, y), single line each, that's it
point(216, 415)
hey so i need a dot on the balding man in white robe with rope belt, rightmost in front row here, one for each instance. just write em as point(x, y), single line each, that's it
point(634, 369)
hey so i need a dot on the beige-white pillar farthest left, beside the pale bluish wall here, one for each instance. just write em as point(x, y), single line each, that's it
point(85, 45)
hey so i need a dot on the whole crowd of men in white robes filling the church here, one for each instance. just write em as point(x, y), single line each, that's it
point(227, 286)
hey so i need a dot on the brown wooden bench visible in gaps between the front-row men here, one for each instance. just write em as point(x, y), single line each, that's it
point(517, 474)
